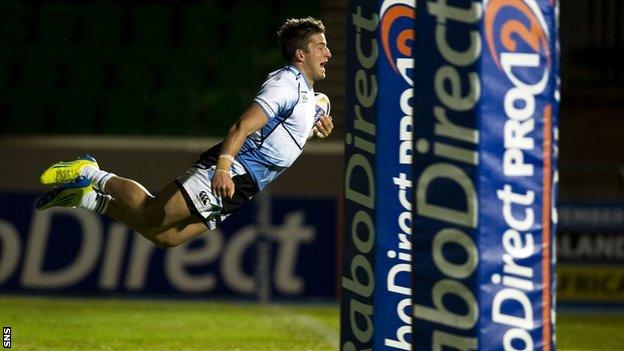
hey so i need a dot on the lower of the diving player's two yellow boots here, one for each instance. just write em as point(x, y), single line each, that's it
point(65, 195)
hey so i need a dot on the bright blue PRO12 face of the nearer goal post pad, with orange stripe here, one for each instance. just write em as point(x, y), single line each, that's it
point(519, 109)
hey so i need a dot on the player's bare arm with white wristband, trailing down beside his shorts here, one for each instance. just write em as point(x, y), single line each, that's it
point(251, 121)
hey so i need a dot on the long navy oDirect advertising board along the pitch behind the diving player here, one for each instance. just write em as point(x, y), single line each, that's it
point(75, 251)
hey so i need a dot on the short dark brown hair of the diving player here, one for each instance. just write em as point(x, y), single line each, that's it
point(295, 34)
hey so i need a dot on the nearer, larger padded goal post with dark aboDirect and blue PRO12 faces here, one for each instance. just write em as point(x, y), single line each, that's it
point(485, 174)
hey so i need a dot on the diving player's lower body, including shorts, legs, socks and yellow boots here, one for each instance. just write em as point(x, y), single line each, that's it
point(180, 212)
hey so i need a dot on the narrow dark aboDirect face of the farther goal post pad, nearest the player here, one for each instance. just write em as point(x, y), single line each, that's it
point(358, 276)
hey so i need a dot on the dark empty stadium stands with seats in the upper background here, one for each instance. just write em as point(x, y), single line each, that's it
point(150, 68)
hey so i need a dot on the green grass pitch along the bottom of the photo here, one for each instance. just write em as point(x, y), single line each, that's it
point(110, 324)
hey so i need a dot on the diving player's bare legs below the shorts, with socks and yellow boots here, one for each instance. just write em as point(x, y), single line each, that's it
point(162, 219)
